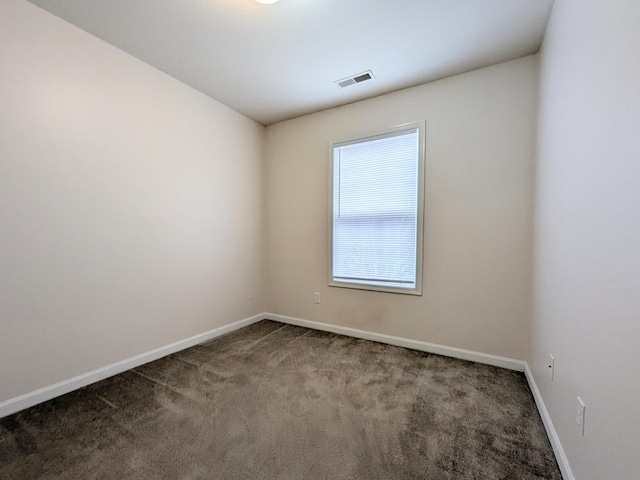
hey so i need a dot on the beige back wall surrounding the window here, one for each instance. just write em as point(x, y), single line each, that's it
point(479, 166)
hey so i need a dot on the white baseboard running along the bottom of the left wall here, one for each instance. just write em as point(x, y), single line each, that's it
point(47, 393)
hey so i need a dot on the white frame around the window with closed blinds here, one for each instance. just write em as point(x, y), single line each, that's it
point(421, 128)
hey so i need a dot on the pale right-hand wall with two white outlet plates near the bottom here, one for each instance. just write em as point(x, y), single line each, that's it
point(587, 242)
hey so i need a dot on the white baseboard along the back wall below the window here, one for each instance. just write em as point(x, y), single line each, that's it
point(485, 358)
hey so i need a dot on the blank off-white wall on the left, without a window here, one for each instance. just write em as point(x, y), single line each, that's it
point(130, 205)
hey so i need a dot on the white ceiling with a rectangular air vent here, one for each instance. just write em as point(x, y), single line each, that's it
point(275, 62)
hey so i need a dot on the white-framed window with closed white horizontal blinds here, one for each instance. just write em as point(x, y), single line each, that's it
point(376, 211)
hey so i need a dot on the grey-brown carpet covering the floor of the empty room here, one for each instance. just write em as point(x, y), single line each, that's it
point(274, 401)
